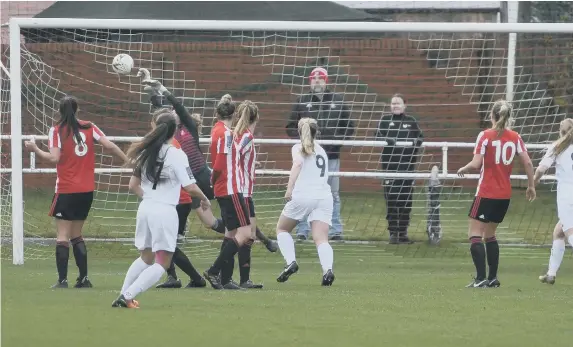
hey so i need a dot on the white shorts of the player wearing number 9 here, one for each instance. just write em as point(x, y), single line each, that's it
point(314, 209)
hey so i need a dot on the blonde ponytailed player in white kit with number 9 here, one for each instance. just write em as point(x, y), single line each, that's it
point(308, 198)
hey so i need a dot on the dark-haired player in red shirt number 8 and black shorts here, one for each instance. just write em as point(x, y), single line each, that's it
point(71, 148)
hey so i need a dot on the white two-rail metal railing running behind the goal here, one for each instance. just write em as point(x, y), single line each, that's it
point(443, 145)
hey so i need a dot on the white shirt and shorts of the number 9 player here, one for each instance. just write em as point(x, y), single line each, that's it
point(311, 196)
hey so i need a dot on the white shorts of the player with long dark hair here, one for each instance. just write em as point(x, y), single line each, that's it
point(156, 227)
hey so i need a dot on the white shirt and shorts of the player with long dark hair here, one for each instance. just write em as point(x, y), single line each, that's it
point(157, 222)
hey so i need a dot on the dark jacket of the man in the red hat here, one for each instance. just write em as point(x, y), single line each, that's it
point(331, 114)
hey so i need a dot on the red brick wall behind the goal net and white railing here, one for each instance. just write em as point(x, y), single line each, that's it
point(386, 66)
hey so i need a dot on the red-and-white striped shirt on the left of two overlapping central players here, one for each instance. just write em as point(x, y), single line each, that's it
point(227, 177)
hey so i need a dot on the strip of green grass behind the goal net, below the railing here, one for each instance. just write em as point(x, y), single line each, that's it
point(363, 214)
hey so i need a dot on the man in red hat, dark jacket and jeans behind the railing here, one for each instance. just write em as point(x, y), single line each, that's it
point(334, 123)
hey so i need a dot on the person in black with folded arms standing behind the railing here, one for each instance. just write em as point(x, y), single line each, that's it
point(398, 192)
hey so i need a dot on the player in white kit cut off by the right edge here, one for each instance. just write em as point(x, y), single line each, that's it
point(560, 154)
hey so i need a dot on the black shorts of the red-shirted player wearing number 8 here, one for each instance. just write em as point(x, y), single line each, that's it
point(71, 206)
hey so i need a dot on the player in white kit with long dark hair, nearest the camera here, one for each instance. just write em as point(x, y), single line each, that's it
point(160, 170)
